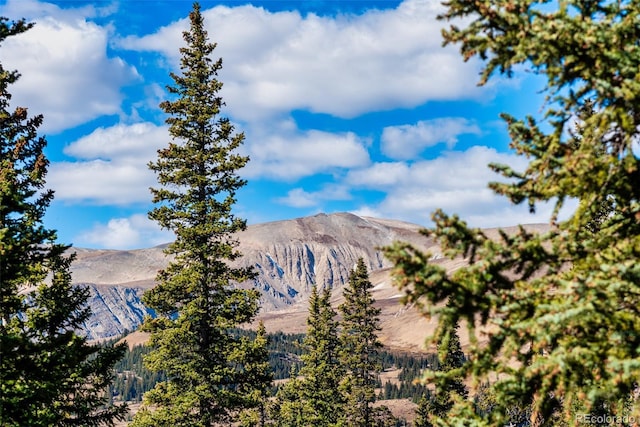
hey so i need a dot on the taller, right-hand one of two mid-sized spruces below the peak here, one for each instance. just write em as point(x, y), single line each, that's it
point(359, 346)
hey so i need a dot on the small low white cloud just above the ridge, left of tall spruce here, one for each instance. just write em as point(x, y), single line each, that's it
point(136, 231)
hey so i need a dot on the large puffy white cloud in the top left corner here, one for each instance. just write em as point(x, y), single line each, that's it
point(66, 73)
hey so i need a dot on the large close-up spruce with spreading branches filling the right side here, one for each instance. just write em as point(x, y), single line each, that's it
point(560, 308)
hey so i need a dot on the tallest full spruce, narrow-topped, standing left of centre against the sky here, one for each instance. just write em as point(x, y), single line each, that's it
point(199, 304)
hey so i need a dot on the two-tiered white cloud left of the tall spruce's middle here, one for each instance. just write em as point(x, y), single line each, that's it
point(111, 167)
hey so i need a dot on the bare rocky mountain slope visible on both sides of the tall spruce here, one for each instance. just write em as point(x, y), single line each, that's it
point(289, 256)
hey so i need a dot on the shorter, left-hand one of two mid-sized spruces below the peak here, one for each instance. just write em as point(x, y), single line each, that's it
point(321, 370)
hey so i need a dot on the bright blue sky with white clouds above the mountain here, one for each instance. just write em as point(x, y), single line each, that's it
point(347, 106)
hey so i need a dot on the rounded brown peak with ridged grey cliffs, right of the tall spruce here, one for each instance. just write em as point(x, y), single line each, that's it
point(291, 256)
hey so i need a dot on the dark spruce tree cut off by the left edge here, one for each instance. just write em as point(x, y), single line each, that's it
point(49, 374)
